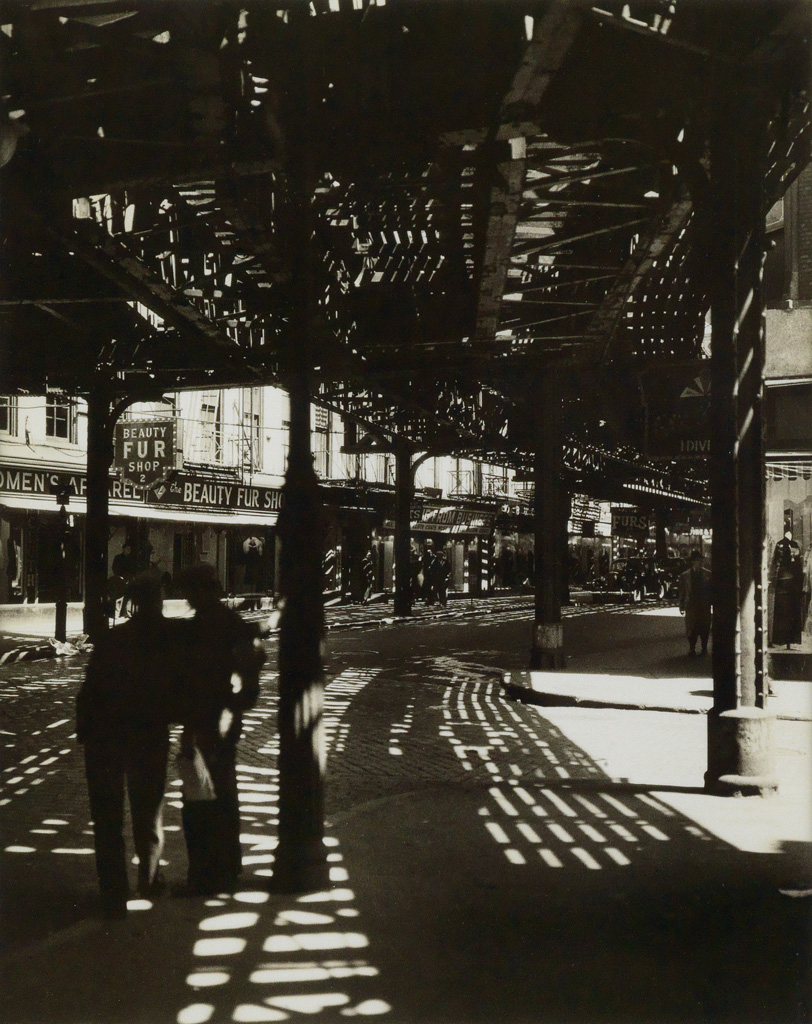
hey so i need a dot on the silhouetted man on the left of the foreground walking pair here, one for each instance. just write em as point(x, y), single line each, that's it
point(122, 715)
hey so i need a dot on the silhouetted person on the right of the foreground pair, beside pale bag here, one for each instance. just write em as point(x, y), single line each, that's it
point(223, 656)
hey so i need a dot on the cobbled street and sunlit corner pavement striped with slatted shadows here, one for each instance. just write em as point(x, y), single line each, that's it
point(490, 861)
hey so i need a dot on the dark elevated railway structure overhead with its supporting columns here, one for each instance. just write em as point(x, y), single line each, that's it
point(468, 228)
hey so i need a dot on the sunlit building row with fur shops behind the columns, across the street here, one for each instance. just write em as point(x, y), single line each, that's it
point(216, 493)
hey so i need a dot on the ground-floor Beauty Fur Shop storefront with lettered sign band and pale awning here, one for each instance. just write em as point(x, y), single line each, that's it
point(191, 519)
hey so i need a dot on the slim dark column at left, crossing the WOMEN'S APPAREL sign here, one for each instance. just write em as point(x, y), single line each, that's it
point(100, 458)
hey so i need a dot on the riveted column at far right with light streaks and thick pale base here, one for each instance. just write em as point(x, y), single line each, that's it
point(741, 751)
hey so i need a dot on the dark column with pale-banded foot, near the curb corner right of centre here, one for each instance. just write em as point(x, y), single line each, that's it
point(547, 651)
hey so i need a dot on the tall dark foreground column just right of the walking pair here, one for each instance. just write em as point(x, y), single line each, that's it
point(301, 863)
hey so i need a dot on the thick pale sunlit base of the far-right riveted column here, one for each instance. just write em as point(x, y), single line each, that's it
point(741, 753)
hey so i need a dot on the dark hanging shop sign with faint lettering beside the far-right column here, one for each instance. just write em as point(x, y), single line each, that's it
point(678, 411)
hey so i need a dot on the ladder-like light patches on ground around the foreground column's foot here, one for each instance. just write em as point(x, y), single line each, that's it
point(271, 958)
